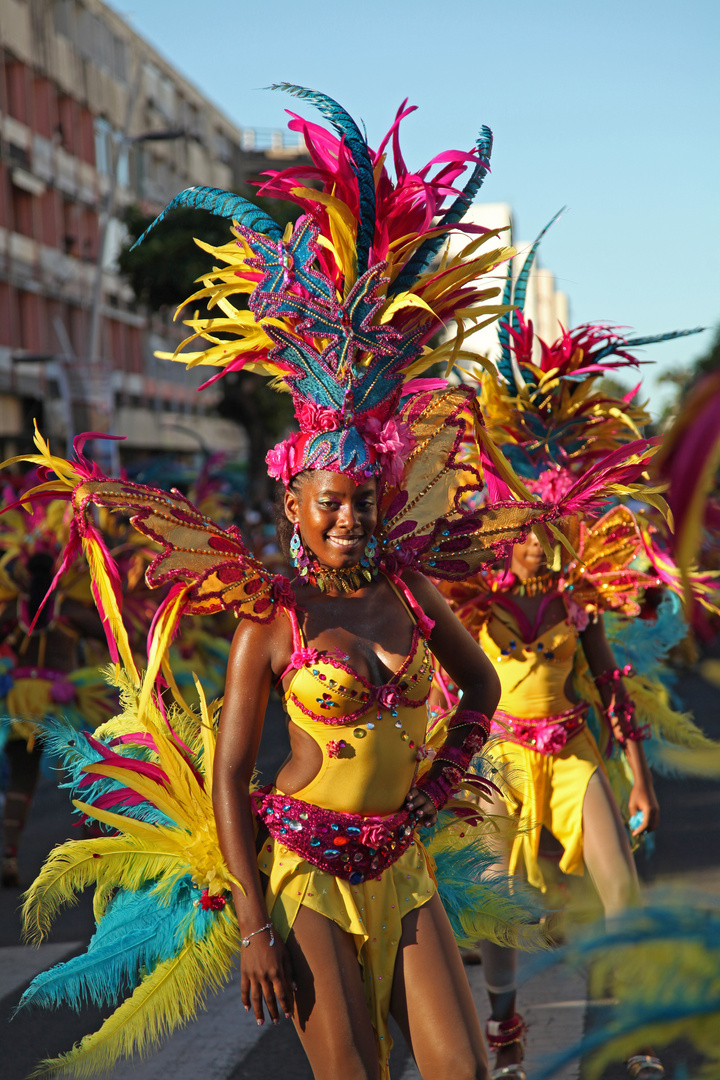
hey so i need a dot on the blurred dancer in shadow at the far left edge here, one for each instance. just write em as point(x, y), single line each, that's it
point(44, 623)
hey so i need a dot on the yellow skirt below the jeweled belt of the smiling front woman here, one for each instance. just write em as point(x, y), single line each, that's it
point(372, 912)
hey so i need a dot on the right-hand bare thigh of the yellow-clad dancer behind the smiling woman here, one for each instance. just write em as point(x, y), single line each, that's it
point(606, 848)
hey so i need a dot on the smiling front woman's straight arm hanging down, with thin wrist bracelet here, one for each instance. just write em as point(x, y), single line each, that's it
point(254, 655)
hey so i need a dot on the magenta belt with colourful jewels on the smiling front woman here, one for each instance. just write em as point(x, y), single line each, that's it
point(349, 846)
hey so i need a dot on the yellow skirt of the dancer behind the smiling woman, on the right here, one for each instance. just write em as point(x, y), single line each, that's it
point(550, 791)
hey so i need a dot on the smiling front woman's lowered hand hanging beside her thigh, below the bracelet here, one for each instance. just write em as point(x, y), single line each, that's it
point(266, 976)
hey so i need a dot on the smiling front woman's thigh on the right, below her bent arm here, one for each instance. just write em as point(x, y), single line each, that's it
point(432, 1001)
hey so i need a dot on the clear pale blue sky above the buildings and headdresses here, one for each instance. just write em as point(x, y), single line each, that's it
point(608, 107)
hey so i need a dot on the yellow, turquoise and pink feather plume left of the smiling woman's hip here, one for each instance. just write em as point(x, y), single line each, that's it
point(166, 935)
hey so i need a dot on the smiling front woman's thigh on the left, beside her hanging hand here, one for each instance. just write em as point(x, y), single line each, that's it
point(331, 1012)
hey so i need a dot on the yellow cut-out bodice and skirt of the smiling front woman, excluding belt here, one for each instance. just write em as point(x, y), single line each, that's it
point(371, 737)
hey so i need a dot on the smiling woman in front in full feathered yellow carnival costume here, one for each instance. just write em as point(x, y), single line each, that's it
point(322, 881)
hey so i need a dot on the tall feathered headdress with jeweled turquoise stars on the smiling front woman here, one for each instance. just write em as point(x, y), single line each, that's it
point(342, 306)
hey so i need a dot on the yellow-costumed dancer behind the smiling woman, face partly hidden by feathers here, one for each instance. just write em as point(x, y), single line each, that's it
point(544, 631)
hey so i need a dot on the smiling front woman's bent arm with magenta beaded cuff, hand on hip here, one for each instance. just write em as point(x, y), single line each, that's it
point(476, 678)
